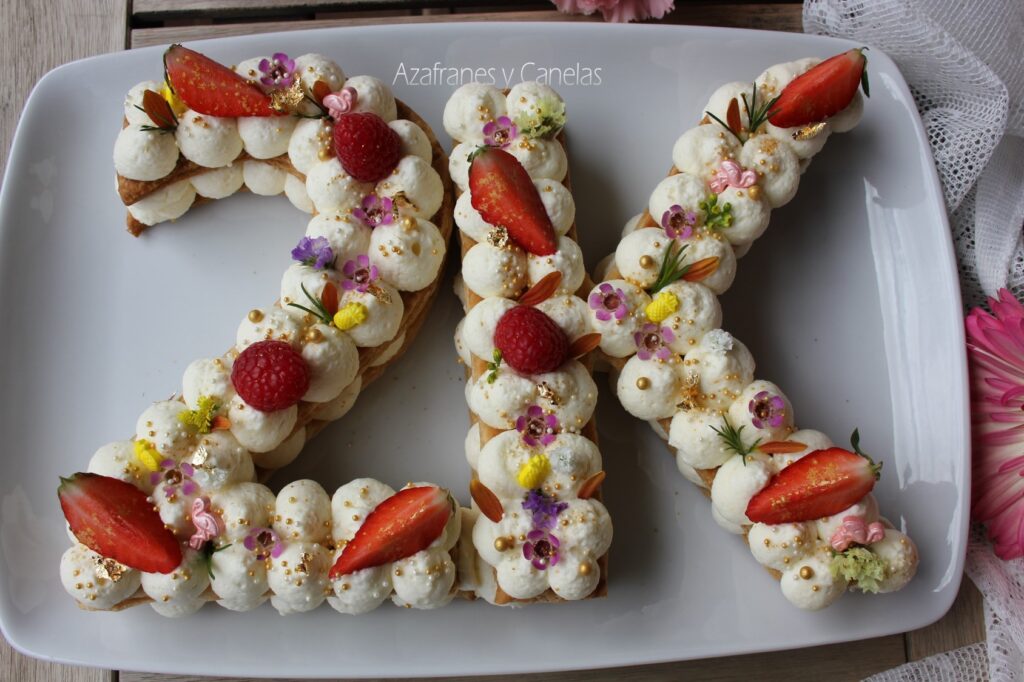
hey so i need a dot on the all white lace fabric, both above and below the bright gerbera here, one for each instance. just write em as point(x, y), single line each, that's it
point(965, 64)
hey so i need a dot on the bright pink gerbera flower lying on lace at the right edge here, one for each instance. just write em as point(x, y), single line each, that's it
point(996, 345)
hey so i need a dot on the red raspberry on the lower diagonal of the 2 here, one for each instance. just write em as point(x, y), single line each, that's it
point(271, 375)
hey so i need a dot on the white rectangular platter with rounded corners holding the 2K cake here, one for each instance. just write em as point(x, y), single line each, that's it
point(850, 304)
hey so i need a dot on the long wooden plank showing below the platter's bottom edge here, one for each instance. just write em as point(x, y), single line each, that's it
point(842, 662)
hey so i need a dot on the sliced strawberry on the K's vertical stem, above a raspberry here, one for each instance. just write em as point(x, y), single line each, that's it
point(506, 197)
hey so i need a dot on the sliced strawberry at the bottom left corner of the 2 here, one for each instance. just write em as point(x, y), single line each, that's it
point(117, 521)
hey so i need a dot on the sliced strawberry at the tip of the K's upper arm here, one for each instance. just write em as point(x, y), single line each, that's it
point(825, 91)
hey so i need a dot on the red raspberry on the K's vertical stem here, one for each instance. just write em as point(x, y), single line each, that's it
point(531, 342)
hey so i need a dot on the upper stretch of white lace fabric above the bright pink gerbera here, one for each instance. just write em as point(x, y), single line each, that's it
point(965, 65)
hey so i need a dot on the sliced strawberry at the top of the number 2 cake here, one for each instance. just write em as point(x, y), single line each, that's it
point(212, 89)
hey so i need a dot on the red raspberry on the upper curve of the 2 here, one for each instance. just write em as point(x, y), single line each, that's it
point(367, 148)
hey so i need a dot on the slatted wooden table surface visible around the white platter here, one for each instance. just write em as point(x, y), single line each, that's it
point(38, 36)
